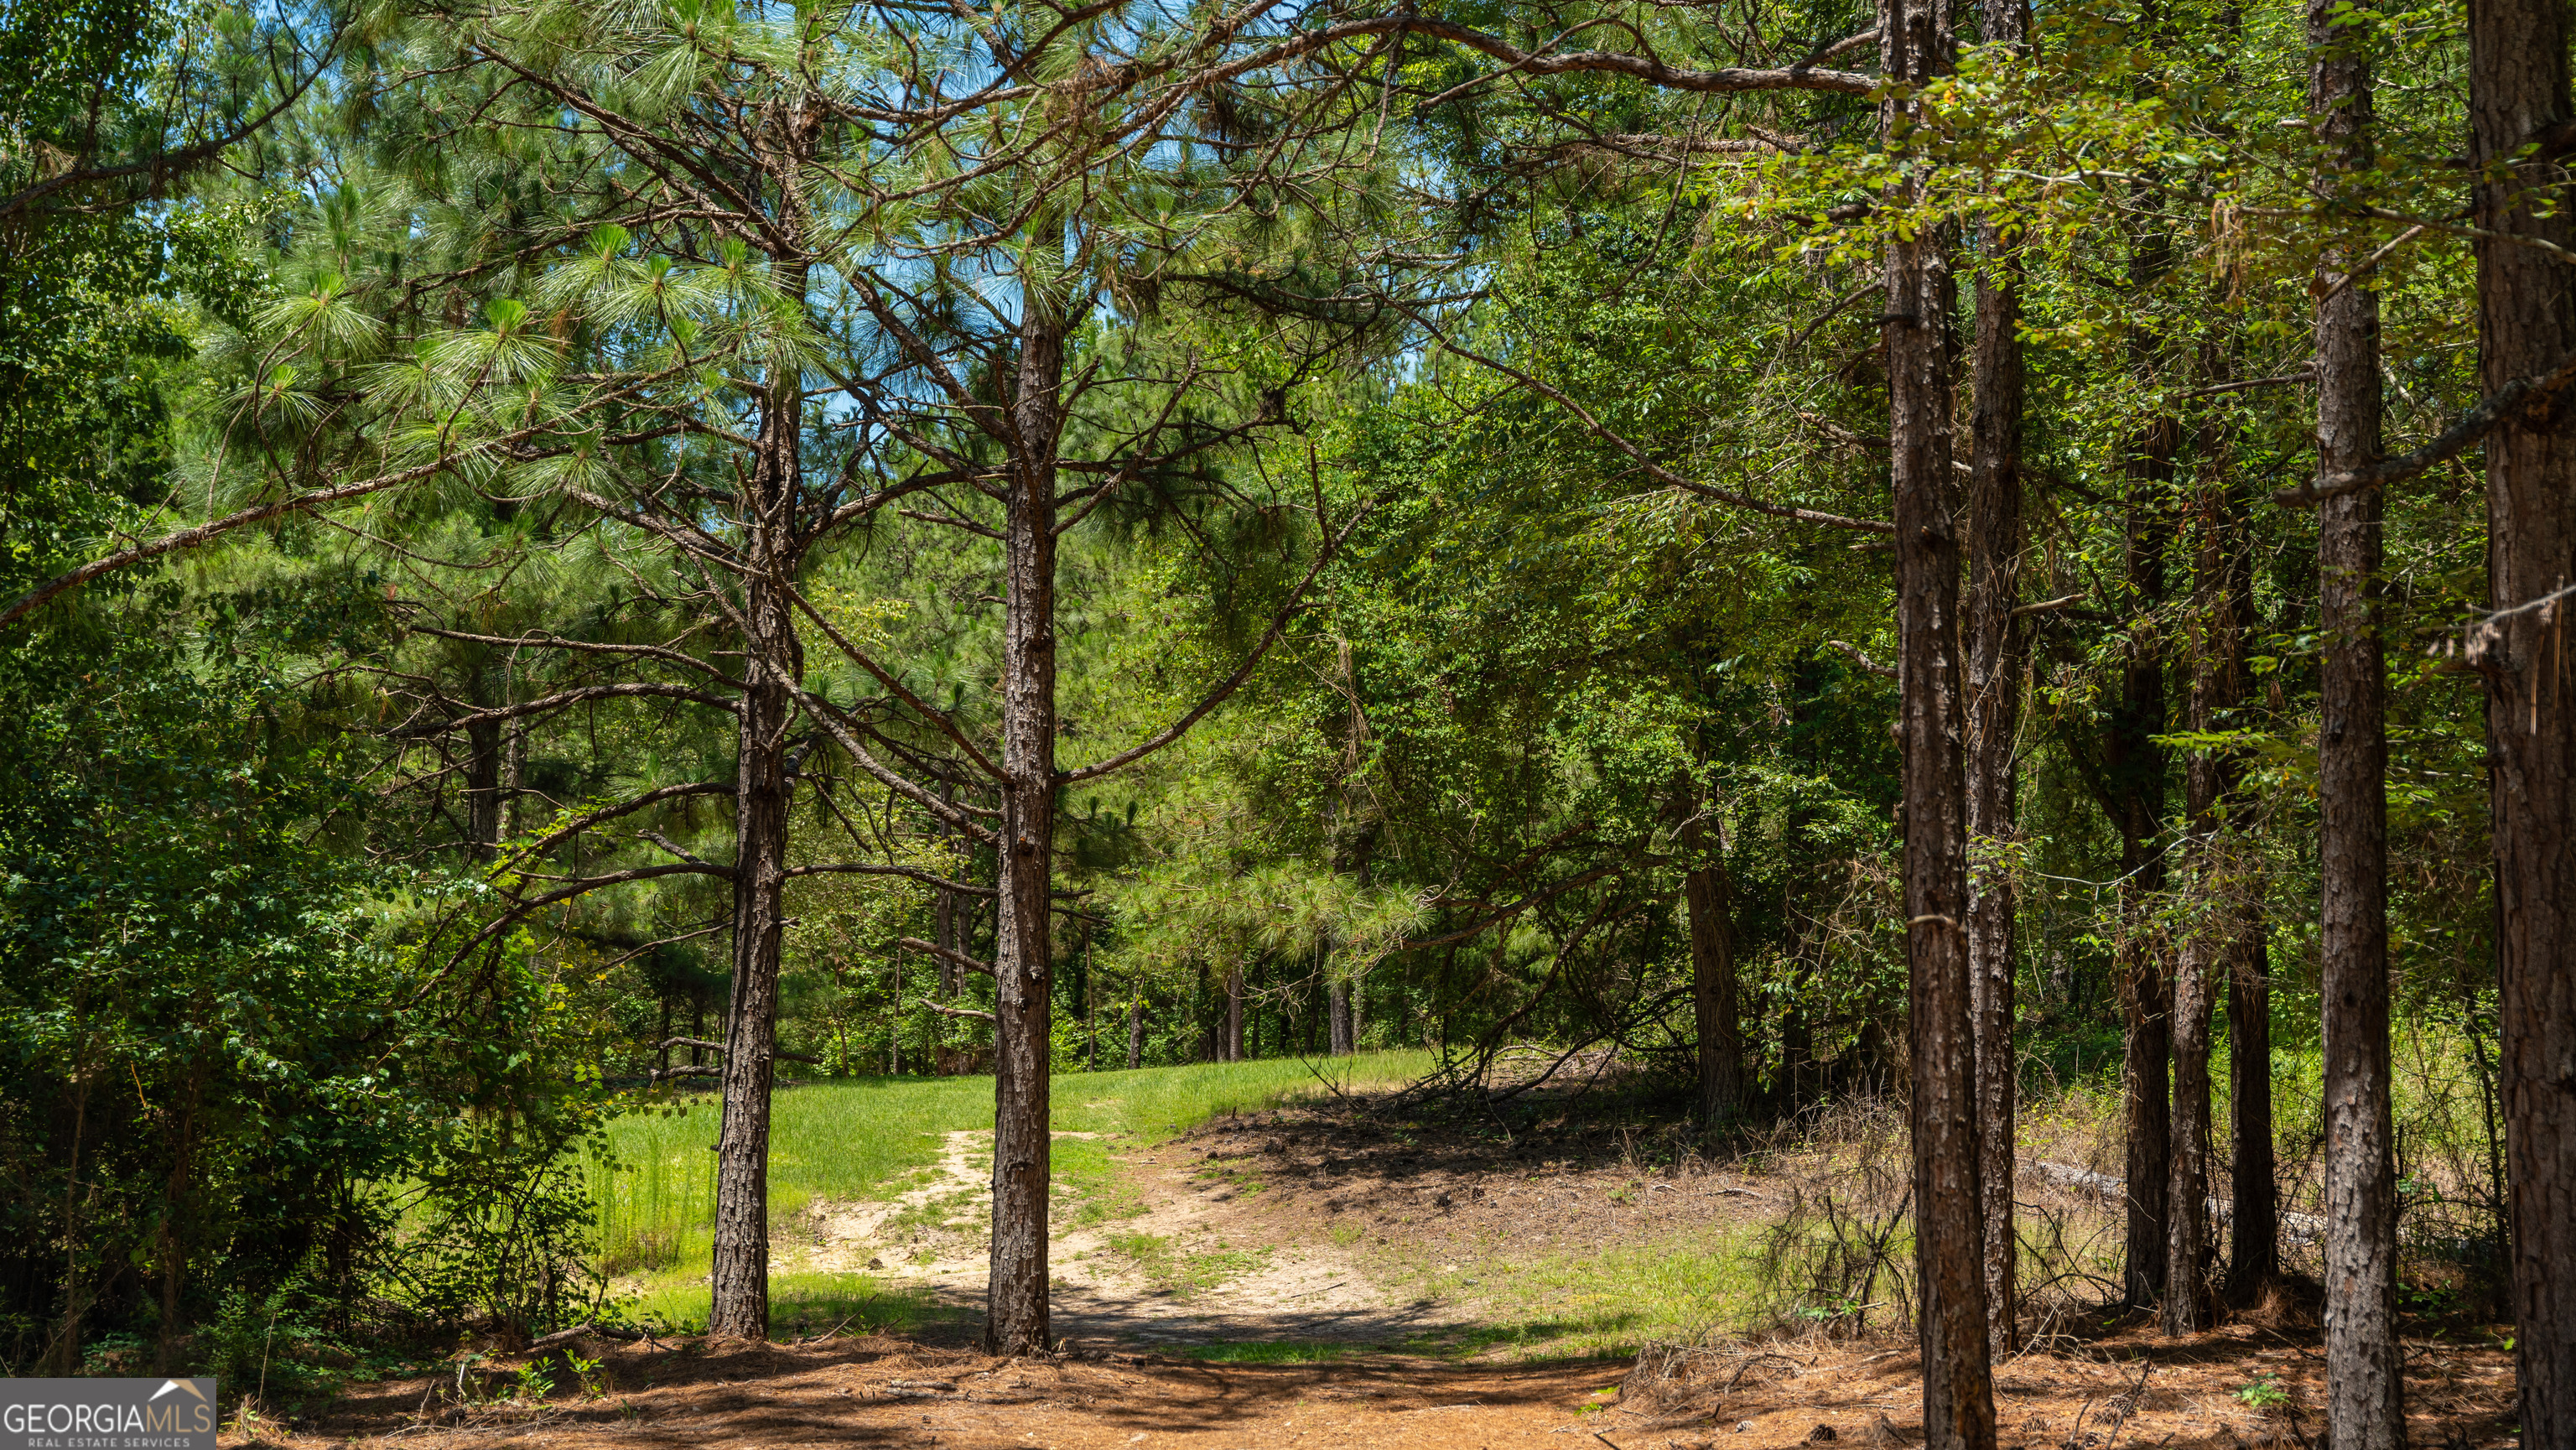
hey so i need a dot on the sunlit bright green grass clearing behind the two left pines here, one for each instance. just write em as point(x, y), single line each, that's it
point(862, 1140)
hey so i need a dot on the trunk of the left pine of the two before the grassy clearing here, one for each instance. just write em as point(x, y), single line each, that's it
point(741, 1274)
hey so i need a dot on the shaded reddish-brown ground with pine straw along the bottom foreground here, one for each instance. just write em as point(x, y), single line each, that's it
point(2126, 1392)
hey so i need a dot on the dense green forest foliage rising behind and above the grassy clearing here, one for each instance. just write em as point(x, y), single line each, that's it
point(563, 550)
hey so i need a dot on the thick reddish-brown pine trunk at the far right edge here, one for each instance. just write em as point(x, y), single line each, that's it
point(2526, 326)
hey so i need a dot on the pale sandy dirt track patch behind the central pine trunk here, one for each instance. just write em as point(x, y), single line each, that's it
point(1191, 1268)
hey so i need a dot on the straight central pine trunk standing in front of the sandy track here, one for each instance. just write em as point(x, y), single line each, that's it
point(1024, 957)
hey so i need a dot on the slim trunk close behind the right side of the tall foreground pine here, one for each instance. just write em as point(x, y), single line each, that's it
point(1995, 720)
